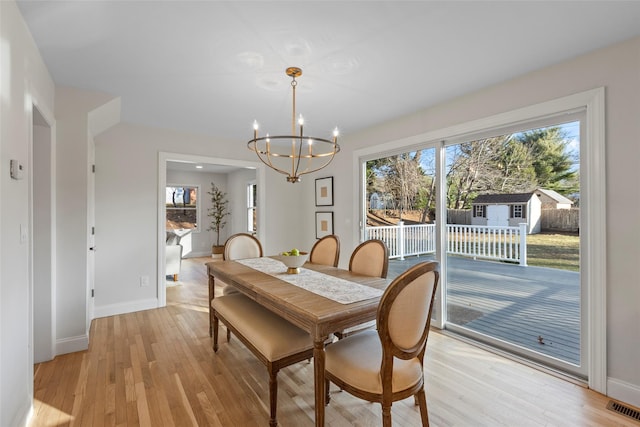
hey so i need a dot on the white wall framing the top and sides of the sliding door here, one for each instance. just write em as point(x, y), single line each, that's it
point(617, 69)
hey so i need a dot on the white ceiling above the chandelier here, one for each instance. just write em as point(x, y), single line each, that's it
point(212, 67)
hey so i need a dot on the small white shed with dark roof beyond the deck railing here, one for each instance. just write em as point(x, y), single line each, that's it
point(507, 210)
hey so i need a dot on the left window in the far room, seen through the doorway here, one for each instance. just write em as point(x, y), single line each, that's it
point(182, 207)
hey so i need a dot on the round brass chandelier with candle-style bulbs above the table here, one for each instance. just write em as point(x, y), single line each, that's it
point(296, 154)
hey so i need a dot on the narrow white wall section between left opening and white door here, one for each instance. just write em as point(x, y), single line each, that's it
point(72, 109)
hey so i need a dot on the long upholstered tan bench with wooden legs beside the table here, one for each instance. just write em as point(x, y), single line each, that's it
point(274, 341)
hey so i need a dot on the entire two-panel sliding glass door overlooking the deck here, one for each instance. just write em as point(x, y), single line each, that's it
point(500, 210)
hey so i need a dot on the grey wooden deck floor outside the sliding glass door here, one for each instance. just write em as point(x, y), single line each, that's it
point(533, 307)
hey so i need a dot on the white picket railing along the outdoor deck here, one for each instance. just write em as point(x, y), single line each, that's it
point(476, 241)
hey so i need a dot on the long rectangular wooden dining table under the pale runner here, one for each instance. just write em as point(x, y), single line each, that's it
point(318, 315)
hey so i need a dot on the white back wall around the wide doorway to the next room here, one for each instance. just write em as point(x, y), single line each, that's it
point(127, 209)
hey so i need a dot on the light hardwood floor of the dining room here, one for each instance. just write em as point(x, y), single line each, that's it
point(157, 368)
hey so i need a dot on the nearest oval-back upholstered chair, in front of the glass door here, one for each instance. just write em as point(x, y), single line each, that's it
point(386, 365)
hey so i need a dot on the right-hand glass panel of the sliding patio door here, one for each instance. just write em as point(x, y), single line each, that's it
point(513, 259)
